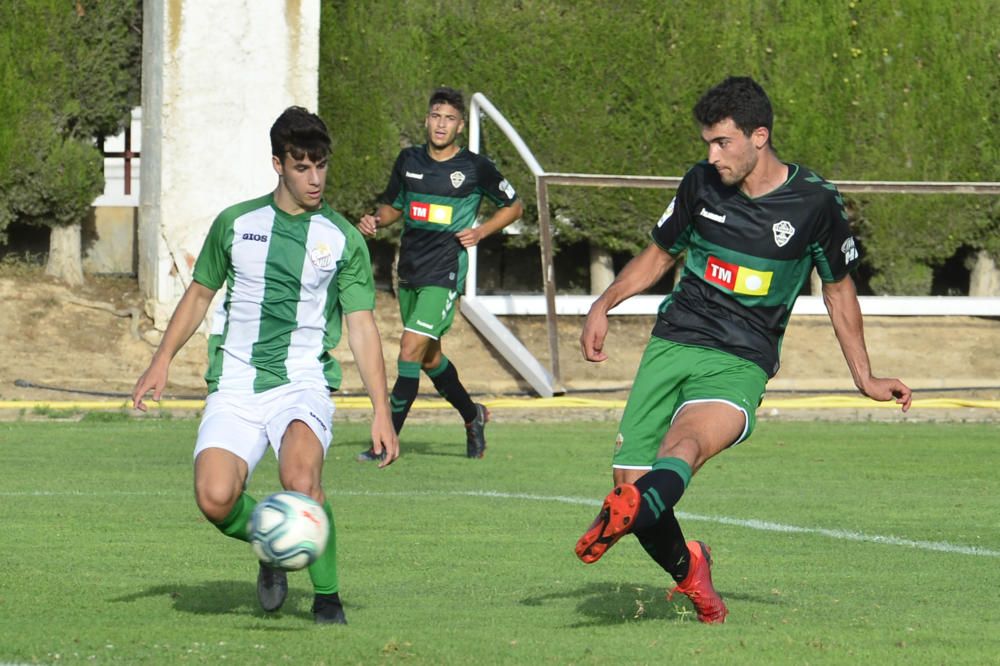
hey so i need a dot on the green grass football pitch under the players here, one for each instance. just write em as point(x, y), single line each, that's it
point(833, 543)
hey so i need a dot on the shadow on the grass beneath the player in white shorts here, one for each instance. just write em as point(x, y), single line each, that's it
point(223, 597)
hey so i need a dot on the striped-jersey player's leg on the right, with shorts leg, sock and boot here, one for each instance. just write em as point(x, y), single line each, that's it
point(301, 422)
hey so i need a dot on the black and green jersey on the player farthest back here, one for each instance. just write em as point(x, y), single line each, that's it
point(439, 199)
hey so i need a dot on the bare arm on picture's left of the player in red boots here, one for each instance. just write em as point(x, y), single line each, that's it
point(641, 273)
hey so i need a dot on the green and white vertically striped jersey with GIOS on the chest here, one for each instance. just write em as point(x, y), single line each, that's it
point(289, 280)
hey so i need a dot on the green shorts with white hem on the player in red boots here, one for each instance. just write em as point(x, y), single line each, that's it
point(672, 375)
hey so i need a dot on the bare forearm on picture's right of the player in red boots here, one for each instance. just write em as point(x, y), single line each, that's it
point(841, 301)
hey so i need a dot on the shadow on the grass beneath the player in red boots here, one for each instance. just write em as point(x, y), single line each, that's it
point(602, 604)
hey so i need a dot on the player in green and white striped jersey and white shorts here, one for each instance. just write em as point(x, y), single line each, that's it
point(291, 268)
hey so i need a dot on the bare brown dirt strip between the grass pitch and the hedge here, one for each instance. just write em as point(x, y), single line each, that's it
point(93, 342)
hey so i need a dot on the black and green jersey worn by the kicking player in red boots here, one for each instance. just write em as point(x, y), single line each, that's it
point(748, 259)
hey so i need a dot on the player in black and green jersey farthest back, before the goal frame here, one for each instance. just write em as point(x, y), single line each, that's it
point(436, 189)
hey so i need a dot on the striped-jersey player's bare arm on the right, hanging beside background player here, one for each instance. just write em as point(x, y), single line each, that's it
point(366, 345)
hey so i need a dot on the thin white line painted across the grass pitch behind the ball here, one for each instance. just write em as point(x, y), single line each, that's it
point(753, 524)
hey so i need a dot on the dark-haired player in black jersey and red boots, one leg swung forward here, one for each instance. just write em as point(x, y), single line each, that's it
point(753, 228)
